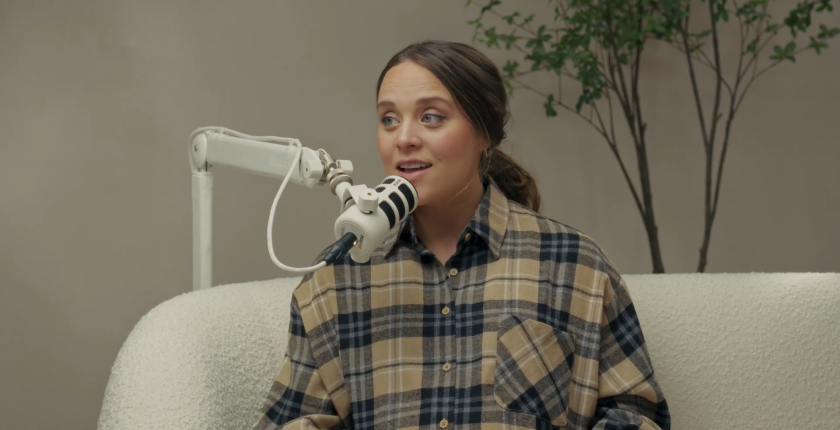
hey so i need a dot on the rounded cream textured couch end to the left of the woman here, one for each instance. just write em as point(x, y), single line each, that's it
point(202, 360)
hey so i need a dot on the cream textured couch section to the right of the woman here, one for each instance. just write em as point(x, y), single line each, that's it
point(744, 350)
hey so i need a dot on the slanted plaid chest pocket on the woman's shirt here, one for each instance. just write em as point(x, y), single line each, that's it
point(534, 364)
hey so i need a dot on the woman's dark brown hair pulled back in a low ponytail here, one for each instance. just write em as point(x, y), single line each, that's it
point(477, 86)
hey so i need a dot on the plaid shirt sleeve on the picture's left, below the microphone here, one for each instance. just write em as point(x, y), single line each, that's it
point(299, 398)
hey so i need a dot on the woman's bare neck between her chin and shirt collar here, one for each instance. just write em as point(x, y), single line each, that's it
point(440, 225)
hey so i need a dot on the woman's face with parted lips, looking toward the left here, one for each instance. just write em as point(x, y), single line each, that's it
point(424, 137)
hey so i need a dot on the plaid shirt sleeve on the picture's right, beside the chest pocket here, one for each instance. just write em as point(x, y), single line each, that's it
point(629, 395)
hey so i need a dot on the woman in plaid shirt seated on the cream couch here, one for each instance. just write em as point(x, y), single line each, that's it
point(477, 312)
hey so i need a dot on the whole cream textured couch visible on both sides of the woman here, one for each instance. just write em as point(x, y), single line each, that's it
point(730, 351)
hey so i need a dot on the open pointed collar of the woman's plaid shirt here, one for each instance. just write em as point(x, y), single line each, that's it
point(489, 222)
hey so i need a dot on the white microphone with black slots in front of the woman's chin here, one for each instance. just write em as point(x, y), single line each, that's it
point(362, 227)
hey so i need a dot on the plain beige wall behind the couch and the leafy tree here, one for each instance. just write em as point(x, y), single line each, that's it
point(97, 100)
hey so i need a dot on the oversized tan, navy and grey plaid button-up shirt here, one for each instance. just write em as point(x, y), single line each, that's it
point(527, 326)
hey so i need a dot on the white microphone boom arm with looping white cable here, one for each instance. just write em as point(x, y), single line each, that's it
point(286, 159)
